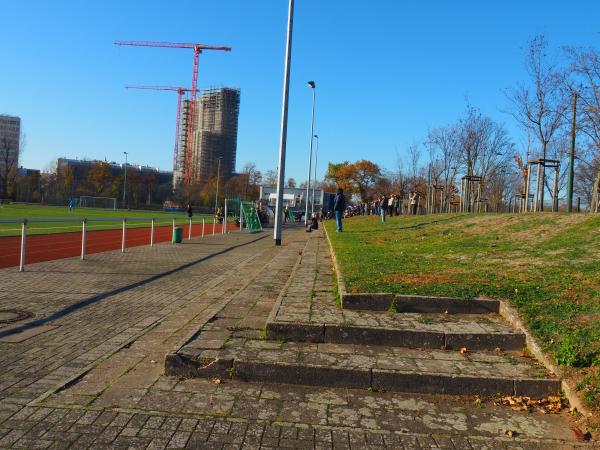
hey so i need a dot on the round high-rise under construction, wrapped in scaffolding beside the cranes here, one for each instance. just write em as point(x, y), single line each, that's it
point(214, 138)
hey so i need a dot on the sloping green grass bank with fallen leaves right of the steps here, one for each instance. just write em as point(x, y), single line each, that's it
point(545, 265)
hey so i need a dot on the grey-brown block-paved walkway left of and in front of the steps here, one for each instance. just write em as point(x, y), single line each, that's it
point(87, 371)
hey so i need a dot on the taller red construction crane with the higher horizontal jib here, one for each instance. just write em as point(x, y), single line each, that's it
point(198, 48)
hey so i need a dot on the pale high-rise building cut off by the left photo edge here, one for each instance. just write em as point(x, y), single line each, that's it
point(10, 132)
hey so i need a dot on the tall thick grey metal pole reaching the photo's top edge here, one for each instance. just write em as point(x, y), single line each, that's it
point(283, 132)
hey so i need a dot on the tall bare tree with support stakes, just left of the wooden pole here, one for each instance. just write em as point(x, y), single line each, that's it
point(540, 105)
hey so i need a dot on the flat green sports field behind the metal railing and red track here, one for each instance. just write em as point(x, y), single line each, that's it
point(61, 212)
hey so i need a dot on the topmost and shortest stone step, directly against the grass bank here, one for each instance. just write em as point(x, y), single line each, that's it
point(419, 304)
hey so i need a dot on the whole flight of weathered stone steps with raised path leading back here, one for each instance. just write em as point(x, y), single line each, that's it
point(382, 342)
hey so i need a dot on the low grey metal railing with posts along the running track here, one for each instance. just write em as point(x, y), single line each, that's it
point(85, 220)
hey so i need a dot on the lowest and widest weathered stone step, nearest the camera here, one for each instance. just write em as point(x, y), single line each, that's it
point(369, 367)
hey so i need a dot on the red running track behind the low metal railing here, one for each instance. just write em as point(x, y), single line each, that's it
point(46, 247)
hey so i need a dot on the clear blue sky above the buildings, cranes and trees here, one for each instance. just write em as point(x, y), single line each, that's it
point(386, 70)
